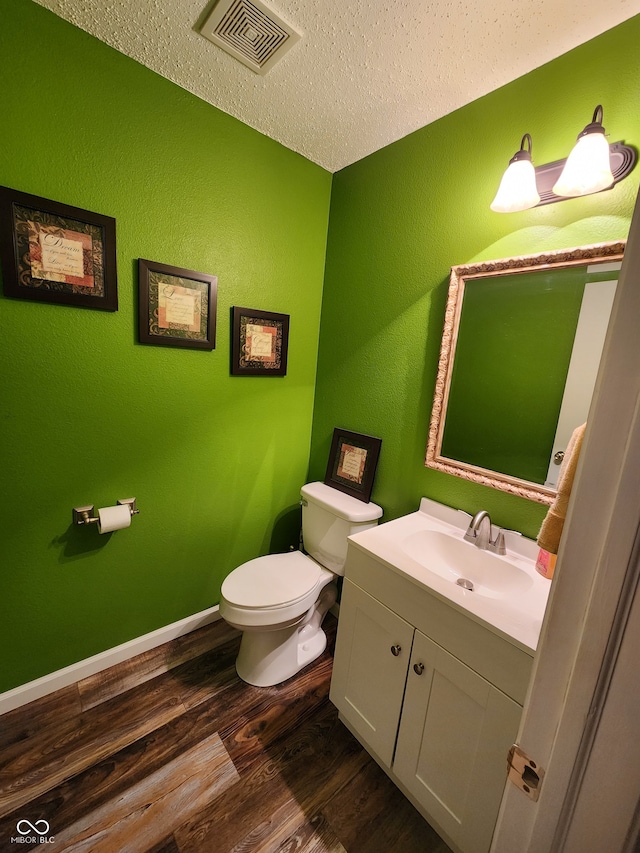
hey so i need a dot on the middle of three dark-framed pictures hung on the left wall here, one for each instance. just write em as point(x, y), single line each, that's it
point(177, 306)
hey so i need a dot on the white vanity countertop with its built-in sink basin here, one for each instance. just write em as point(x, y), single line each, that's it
point(504, 593)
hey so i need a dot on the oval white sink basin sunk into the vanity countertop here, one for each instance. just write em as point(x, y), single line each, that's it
point(458, 561)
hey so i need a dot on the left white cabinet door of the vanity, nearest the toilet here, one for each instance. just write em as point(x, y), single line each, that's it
point(372, 654)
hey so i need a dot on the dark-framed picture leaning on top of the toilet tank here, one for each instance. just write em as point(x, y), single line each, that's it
point(353, 459)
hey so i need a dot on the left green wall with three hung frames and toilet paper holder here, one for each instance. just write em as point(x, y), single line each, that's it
point(89, 415)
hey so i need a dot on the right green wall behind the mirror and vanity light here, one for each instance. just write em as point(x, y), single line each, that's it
point(403, 216)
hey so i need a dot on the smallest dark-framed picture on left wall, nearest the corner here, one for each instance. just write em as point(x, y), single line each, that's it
point(259, 342)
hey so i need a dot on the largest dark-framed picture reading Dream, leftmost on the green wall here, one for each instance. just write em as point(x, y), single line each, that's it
point(52, 252)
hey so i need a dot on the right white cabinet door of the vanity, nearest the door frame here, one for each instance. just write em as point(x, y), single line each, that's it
point(455, 733)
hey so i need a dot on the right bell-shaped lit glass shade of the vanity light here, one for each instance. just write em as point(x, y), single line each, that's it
point(588, 167)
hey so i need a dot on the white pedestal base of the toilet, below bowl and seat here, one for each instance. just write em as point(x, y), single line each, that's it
point(268, 657)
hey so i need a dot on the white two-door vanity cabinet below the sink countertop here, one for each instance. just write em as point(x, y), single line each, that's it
point(435, 697)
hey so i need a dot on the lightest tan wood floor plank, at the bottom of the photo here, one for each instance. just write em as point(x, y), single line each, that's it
point(147, 813)
